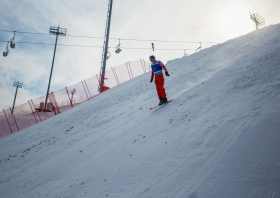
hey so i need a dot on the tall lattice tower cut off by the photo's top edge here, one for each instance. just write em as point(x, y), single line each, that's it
point(105, 47)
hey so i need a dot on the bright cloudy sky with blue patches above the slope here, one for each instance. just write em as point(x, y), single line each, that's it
point(136, 23)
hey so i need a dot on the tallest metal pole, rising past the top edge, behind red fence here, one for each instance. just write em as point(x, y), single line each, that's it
point(106, 49)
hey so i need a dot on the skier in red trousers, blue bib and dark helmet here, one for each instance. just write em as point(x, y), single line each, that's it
point(157, 67)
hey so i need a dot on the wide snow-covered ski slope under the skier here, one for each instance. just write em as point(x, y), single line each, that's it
point(219, 137)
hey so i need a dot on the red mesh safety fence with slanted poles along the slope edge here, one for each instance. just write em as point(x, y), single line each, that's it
point(34, 111)
